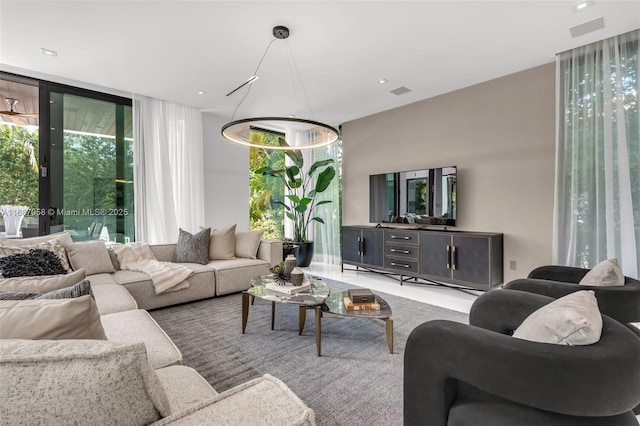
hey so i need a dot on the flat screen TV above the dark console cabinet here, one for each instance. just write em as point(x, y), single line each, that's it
point(421, 197)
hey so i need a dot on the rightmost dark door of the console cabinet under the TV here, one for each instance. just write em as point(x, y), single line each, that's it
point(472, 260)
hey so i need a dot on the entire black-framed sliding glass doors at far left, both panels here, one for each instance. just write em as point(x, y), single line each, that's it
point(67, 154)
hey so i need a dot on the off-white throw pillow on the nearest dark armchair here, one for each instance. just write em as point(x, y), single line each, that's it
point(571, 320)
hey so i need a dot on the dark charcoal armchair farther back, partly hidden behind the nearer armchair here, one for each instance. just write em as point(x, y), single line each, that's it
point(621, 303)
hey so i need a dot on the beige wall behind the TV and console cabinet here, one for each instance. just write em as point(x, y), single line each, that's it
point(500, 134)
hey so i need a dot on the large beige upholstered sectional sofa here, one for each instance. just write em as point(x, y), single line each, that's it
point(135, 377)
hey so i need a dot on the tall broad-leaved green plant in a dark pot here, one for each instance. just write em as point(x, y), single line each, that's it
point(302, 186)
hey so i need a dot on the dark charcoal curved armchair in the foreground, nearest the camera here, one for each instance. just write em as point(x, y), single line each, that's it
point(478, 374)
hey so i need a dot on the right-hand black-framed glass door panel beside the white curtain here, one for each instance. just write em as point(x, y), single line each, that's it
point(88, 151)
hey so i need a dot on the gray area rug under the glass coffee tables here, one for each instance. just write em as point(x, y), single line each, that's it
point(356, 381)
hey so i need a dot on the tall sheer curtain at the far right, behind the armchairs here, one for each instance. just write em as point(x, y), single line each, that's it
point(597, 204)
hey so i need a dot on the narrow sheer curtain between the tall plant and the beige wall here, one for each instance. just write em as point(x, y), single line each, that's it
point(327, 235)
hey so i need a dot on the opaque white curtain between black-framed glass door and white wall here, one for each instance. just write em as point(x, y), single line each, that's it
point(168, 171)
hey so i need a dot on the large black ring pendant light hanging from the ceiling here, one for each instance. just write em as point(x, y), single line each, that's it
point(298, 133)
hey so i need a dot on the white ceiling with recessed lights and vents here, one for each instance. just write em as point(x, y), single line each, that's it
point(172, 49)
